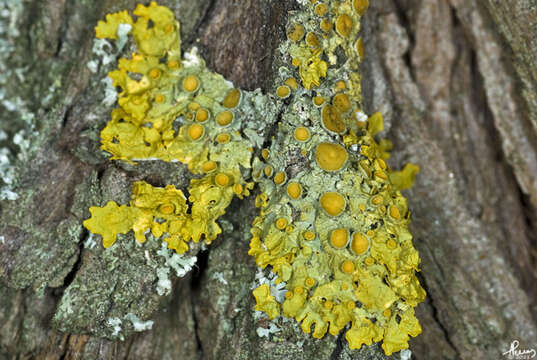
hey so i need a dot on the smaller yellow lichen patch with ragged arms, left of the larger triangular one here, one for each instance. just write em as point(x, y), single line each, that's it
point(173, 109)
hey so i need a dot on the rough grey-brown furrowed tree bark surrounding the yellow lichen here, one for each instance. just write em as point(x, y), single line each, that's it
point(457, 83)
